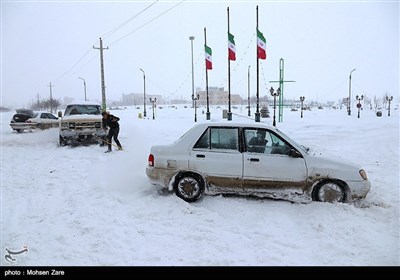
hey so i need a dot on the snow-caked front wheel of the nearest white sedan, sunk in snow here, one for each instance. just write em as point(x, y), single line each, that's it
point(329, 191)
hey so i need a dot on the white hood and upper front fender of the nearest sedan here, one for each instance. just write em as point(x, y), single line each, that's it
point(332, 167)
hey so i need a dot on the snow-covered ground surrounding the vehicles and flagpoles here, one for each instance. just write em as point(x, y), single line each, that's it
point(79, 206)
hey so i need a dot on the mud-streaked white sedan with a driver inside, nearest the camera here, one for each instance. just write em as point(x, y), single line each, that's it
point(227, 158)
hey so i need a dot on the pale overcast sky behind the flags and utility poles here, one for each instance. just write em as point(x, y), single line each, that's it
point(320, 42)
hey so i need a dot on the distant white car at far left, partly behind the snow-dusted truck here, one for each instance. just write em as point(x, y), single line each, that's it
point(31, 120)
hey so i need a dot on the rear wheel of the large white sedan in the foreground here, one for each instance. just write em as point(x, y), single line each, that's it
point(189, 186)
